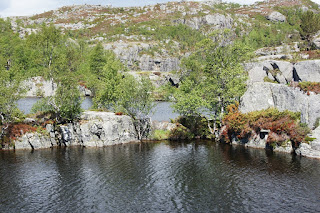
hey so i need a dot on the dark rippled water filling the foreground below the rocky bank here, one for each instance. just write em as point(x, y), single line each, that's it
point(158, 177)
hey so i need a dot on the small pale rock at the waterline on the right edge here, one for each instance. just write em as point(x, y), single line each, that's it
point(311, 149)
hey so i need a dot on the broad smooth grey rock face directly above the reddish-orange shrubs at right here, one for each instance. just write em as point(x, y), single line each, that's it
point(265, 95)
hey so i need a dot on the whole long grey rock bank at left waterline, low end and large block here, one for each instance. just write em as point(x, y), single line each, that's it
point(96, 129)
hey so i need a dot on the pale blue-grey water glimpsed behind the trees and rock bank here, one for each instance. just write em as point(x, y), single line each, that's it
point(162, 110)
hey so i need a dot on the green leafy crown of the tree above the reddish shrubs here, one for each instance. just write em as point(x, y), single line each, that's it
point(215, 77)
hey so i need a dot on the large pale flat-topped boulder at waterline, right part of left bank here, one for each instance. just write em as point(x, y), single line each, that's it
point(100, 129)
